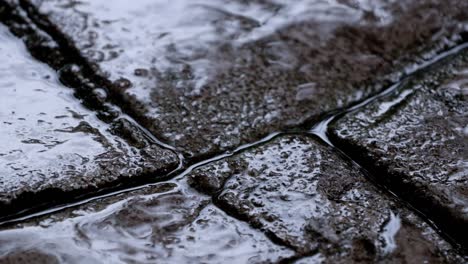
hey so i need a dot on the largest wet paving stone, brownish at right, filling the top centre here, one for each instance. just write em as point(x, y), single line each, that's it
point(208, 75)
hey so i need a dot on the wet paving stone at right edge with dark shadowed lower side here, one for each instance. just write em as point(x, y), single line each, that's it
point(415, 139)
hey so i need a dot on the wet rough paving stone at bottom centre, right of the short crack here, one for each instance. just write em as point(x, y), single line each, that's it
point(302, 194)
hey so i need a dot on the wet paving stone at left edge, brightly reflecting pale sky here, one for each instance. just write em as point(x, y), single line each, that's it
point(51, 145)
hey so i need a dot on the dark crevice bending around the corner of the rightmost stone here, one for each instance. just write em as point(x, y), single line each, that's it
point(450, 226)
